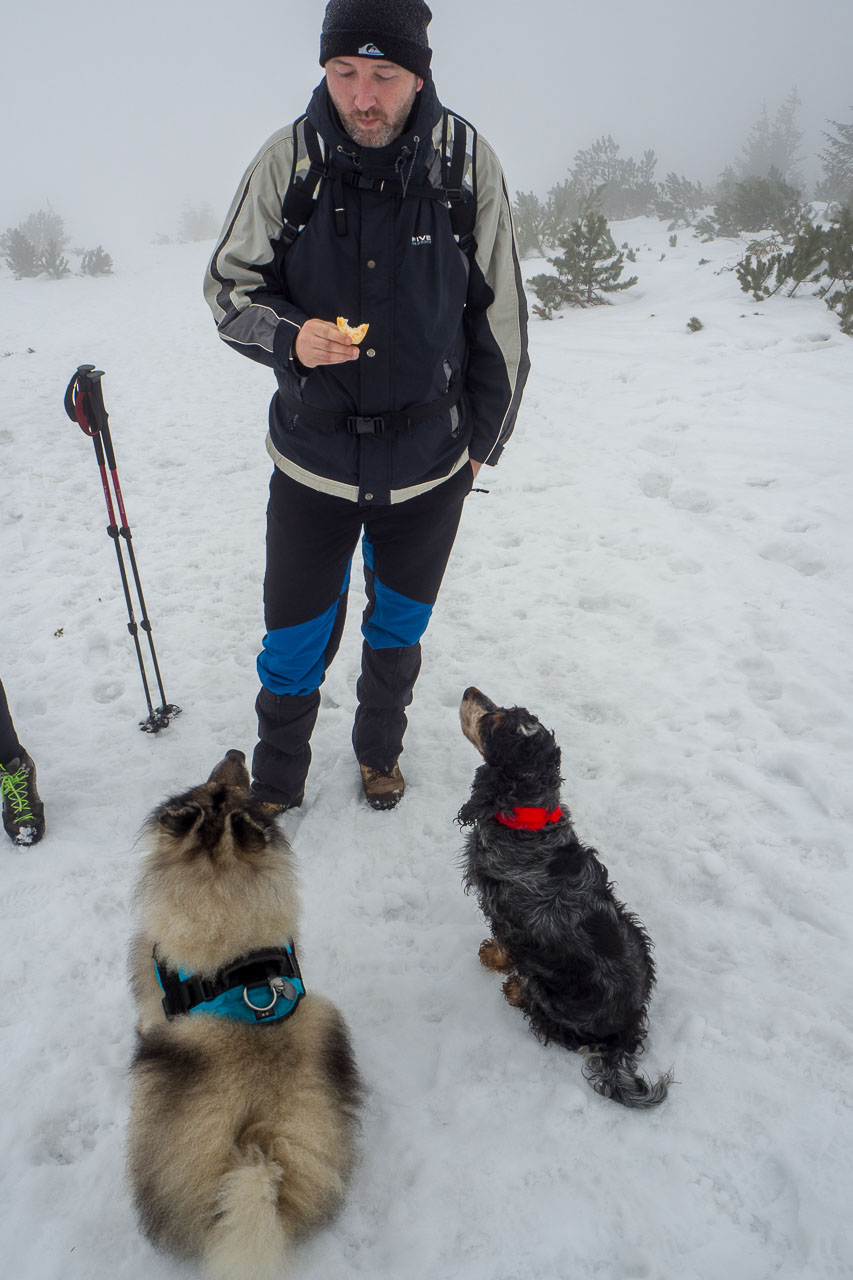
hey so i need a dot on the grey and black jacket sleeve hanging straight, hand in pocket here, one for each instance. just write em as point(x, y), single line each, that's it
point(496, 318)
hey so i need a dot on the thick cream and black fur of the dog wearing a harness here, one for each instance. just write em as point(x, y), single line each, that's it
point(243, 1136)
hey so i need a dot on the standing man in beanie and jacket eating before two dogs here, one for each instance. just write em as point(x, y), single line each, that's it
point(381, 440)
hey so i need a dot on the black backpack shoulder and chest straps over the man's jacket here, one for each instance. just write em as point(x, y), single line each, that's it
point(454, 139)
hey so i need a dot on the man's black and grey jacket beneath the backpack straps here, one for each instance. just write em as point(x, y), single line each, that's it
point(437, 316)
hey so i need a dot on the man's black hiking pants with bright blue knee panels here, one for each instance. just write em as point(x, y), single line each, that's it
point(311, 541)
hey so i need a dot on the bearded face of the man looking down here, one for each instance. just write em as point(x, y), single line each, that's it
point(373, 98)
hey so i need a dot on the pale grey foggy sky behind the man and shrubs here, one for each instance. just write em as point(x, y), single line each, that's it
point(120, 115)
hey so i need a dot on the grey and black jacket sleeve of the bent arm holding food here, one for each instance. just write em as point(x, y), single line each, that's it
point(244, 281)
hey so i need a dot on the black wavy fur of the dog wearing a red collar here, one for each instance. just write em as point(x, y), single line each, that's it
point(578, 963)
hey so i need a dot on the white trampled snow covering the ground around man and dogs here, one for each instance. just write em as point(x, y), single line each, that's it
point(663, 572)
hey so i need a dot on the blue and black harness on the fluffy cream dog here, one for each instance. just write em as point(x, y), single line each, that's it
point(259, 988)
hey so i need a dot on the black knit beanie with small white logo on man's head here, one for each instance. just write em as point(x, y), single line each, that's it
point(378, 29)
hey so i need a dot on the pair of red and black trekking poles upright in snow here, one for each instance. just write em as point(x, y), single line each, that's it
point(85, 406)
